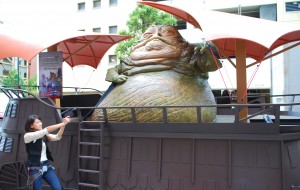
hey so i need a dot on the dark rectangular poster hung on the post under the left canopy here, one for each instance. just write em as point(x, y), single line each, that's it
point(50, 74)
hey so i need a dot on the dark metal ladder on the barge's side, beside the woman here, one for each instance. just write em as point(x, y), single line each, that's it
point(90, 155)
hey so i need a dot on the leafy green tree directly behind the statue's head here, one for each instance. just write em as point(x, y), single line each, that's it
point(139, 20)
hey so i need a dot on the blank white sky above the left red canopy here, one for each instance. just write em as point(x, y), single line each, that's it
point(32, 13)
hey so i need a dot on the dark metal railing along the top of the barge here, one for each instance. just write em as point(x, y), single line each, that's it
point(231, 121)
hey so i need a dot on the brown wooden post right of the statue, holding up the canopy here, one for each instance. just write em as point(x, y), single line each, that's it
point(241, 76)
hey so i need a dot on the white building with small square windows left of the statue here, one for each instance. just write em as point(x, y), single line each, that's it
point(101, 16)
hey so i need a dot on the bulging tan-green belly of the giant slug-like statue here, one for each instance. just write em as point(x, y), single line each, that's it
point(166, 88)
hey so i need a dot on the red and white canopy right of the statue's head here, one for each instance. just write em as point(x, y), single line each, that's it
point(260, 36)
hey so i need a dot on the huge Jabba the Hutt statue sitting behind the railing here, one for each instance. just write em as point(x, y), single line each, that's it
point(163, 69)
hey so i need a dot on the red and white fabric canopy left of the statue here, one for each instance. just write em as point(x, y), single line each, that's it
point(77, 47)
